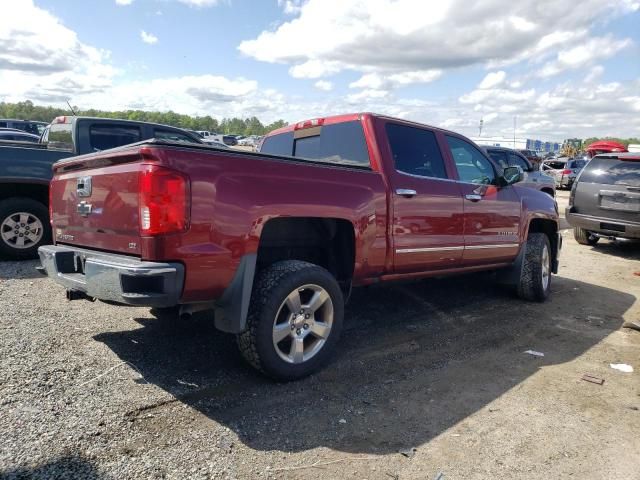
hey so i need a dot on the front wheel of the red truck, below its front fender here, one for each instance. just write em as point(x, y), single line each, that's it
point(531, 285)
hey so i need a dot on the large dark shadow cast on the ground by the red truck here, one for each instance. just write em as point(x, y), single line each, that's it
point(415, 360)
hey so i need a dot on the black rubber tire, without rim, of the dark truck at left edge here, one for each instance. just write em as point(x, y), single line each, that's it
point(12, 206)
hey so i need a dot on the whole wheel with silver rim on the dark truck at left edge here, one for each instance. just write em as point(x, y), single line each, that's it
point(24, 226)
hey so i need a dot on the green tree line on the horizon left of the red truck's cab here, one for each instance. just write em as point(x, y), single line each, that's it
point(241, 126)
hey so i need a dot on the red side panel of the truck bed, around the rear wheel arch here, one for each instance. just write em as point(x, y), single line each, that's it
point(235, 195)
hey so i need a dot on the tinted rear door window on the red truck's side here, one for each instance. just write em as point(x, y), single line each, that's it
point(415, 151)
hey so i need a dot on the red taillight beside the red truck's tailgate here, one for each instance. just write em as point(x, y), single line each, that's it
point(164, 200)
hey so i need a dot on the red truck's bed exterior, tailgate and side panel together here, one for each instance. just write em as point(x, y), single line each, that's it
point(233, 194)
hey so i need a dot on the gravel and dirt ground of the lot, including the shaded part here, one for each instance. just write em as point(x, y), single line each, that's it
point(92, 390)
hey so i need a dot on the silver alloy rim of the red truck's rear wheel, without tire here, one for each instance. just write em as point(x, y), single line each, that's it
point(303, 324)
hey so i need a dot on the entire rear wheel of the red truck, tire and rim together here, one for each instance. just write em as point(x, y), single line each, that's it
point(294, 320)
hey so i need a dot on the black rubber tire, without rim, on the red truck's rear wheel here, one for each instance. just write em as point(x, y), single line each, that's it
point(271, 288)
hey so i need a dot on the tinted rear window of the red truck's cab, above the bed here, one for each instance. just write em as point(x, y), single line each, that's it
point(339, 143)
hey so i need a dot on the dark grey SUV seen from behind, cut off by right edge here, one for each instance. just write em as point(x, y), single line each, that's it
point(605, 199)
